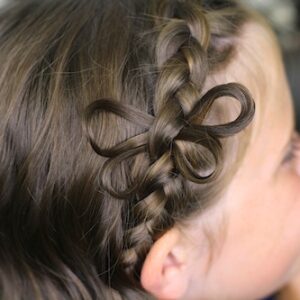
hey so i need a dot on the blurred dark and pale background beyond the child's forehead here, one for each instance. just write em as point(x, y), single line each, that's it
point(284, 16)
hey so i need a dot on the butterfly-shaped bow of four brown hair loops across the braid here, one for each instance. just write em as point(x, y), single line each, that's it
point(183, 129)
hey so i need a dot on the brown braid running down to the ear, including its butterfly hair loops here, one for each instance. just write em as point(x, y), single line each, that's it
point(159, 194)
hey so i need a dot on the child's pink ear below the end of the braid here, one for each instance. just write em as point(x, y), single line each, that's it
point(165, 273)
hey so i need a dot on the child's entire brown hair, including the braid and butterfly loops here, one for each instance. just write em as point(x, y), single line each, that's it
point(102, 141)
